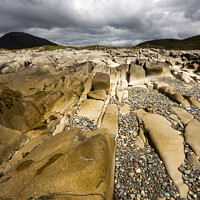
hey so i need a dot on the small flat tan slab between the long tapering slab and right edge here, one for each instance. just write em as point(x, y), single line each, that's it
point(183, 115)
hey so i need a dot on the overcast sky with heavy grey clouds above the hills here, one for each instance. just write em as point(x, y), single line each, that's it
point(103, 22)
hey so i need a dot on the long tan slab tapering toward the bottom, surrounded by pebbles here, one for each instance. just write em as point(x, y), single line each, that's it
point(169, 145)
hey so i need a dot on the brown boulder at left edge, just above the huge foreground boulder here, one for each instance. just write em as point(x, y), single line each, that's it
point(10, 141)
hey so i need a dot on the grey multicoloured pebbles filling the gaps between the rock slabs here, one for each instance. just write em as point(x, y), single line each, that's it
point(140, 173)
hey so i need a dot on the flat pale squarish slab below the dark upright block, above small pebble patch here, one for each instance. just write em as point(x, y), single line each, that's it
point(91, 109)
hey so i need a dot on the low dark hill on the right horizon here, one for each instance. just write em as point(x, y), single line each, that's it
point(192, 43)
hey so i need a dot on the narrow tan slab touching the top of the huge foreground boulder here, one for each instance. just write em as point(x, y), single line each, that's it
point(110, 119)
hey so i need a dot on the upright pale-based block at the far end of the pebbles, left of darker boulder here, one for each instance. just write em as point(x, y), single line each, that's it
point(137, 75)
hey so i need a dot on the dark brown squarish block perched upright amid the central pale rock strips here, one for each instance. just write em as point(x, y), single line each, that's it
point(101, 81)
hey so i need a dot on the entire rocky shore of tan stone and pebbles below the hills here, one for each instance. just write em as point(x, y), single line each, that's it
point(88, 124)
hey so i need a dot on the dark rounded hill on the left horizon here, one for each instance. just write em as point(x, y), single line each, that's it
point(19, 40)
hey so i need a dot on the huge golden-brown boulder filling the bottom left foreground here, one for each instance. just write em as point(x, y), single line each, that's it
point(65, 167)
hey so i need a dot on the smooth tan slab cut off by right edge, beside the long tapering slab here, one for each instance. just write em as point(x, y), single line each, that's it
point(192, 135)
